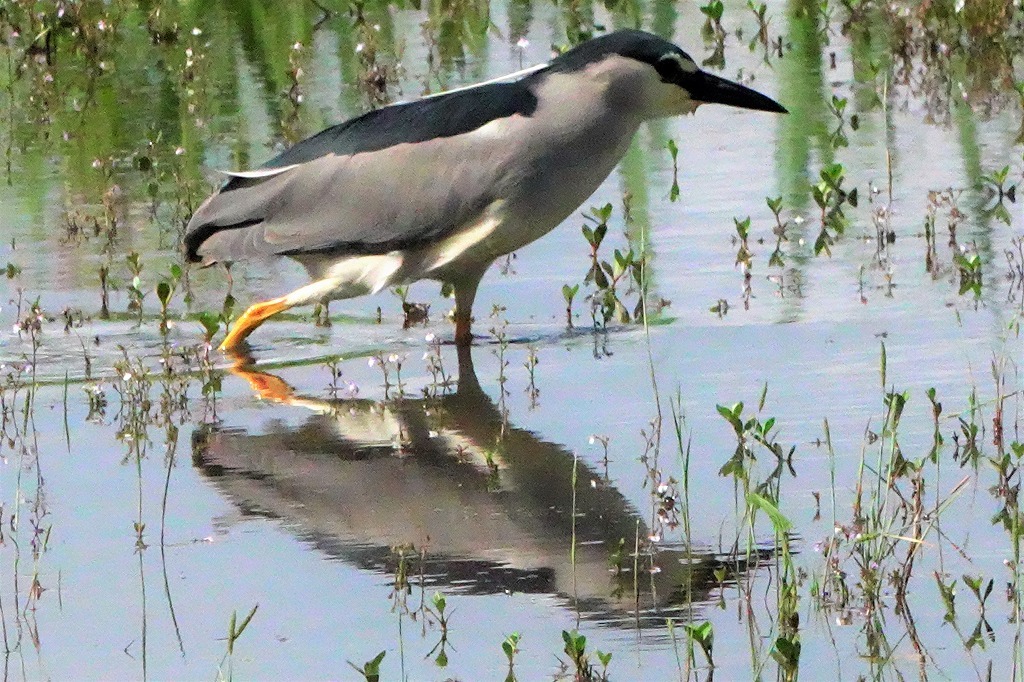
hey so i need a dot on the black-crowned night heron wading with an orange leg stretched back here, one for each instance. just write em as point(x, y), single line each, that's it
point(441, 188)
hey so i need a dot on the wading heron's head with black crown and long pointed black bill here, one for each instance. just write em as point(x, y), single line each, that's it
point(656, 77)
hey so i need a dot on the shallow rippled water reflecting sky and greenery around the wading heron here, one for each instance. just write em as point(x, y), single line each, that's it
point(143, 506)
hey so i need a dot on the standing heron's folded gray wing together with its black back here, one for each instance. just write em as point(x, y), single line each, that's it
point(380, 182)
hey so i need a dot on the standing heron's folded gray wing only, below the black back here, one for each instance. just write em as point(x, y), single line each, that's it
point(373, 203)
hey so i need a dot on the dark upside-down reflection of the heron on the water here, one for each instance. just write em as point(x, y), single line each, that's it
point(488, 504)
